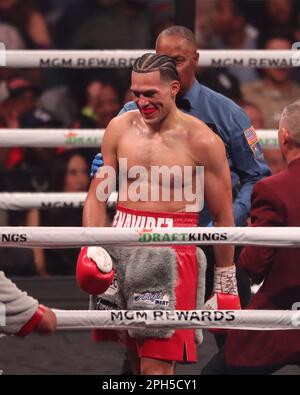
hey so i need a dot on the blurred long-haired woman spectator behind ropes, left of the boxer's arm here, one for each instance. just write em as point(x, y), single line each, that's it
point(69, 173)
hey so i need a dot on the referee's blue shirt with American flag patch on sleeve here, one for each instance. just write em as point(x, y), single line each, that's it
point(230, 122)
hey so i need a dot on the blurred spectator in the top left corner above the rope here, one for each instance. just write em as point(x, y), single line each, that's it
point(29, 24)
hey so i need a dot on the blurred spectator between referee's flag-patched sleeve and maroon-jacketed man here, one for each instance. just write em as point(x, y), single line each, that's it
point(272, 155)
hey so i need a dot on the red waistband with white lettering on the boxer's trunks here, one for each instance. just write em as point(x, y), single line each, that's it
point(130, 218)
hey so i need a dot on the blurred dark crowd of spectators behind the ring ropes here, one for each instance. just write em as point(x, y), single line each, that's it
point(64, 98)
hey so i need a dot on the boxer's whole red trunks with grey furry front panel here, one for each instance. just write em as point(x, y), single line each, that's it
point(177, 345)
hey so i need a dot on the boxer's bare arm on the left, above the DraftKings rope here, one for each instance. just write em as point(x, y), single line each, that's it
point(94, 211)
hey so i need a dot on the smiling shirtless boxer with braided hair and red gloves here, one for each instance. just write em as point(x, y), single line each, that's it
point(159, 134)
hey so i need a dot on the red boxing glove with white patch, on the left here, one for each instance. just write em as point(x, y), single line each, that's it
point(94, 270)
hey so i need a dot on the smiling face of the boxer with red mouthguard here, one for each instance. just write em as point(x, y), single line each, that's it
point(153, 95)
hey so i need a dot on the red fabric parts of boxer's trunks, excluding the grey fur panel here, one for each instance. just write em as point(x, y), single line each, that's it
point(181, 345)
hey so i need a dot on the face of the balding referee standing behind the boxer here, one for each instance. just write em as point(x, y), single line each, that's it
point(185, 55)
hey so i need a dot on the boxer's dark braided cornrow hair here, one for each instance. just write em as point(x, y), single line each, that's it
point(151, 62)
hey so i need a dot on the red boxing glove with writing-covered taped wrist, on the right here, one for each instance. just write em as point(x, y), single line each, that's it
point(225, 295)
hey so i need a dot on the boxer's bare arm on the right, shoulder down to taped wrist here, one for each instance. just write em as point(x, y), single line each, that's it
point(217, 190)
